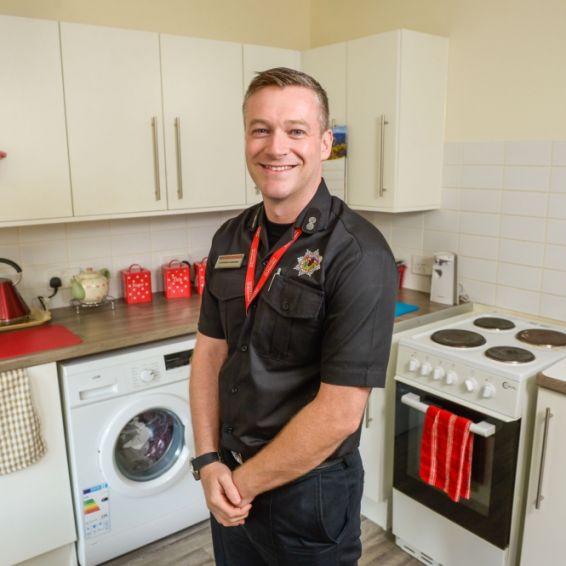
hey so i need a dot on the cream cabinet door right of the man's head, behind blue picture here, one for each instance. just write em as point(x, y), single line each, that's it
point(327, 65)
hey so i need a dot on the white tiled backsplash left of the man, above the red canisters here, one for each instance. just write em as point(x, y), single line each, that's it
point(44, 251)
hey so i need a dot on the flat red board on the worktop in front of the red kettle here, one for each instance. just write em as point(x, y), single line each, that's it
point(31, 340)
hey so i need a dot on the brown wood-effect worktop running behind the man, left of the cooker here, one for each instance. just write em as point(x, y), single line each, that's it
point(104, 329)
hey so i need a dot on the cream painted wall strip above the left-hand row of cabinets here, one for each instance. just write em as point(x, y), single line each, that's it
point(263, 22)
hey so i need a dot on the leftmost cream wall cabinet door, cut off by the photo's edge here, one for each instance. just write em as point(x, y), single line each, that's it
point(34, 177)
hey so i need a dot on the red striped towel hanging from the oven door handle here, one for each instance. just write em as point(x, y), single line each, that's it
point(446, 453)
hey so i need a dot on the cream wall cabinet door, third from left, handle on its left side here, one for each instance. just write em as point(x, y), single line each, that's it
point(202, 98)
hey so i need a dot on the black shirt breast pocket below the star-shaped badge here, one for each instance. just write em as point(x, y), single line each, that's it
point(289, 322)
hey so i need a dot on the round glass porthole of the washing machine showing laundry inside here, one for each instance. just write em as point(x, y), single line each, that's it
point(149, 444)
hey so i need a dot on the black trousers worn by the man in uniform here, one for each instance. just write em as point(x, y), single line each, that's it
point(312, 521)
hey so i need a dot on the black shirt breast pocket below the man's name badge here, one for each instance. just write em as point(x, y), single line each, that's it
point(228, 287)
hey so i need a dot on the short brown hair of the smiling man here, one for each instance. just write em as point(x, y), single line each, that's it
point(282, 77)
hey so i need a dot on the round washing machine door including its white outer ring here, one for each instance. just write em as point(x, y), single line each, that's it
point(145, 448)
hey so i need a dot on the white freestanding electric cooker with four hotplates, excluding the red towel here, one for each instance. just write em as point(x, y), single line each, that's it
point(482, 367)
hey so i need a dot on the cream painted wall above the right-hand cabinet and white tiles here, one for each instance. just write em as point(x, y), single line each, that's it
point(506, 77)
